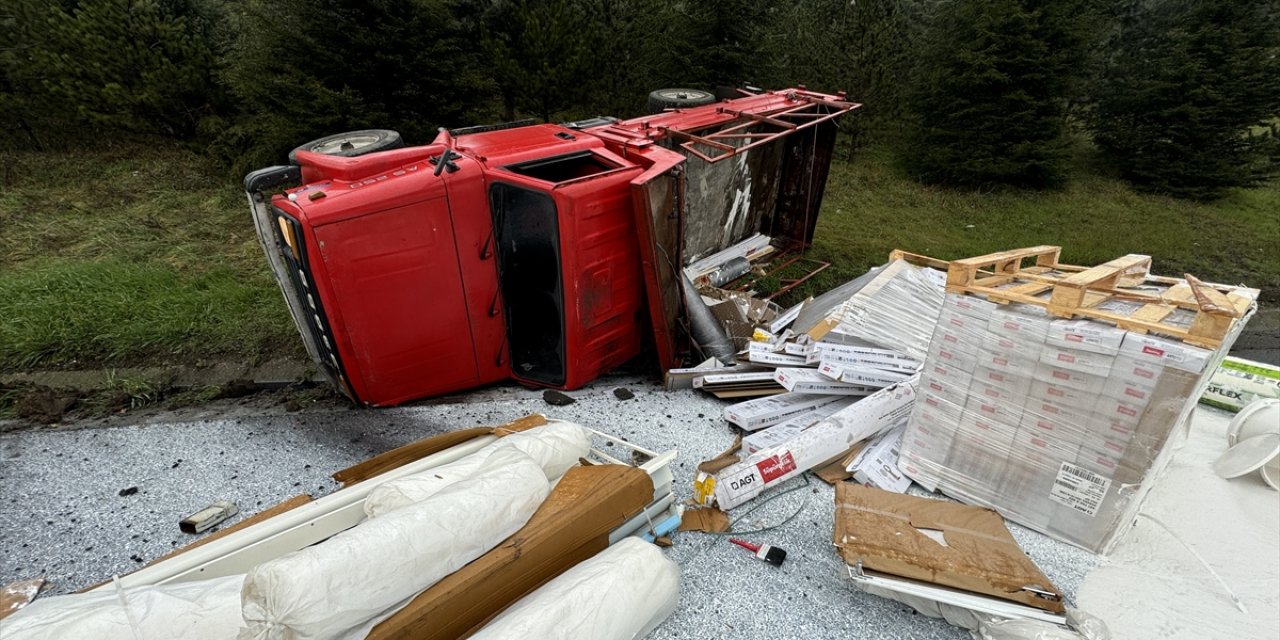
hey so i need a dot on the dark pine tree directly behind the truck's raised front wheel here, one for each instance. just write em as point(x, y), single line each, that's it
point(308, 68)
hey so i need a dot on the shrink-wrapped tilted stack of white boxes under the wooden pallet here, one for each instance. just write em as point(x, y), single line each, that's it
point(1058, 424)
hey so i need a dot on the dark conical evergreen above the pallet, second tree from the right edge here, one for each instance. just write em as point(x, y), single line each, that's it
point(990, 94)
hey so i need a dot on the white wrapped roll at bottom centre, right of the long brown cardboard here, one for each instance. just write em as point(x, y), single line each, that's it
point(621, 593)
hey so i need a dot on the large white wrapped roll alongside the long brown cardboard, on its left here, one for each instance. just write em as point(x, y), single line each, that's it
point(346, 584)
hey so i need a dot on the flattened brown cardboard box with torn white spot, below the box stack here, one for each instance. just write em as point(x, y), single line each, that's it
point(895, 534)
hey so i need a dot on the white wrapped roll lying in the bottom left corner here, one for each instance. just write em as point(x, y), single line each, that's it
point(207, 610)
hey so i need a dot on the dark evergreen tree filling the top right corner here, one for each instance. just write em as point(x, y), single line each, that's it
point(1190, 97)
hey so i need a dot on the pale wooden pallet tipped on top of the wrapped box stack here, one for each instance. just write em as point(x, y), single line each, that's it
point(1026, 275)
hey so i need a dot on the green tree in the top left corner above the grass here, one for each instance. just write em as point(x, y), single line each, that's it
point(103, 66)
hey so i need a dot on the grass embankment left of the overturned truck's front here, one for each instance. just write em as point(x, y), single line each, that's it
point(130, 257)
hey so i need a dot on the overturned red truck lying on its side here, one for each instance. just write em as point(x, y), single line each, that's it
point(543, 253)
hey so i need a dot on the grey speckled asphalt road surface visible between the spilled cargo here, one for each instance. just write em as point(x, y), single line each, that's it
point(65, 516)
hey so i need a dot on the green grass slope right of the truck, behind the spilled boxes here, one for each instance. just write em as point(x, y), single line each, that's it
point(871, 209)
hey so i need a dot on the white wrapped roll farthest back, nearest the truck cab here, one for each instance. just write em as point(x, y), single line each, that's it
point(555, 447)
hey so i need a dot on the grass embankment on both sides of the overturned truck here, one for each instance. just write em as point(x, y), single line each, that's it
point(147, 257)
